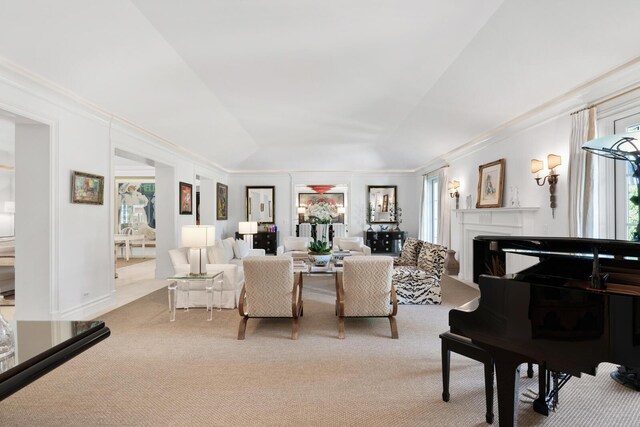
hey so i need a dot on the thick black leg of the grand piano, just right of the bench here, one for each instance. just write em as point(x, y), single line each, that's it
point(508, 379)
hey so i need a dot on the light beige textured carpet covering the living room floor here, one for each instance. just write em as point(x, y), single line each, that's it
point(193, 372)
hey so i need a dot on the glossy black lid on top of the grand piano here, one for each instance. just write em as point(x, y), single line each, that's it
point(563, 246)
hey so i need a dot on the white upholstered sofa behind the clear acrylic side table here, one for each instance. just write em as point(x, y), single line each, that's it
point(226, 255)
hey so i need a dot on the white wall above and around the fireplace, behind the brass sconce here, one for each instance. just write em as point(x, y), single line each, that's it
point(518, 150)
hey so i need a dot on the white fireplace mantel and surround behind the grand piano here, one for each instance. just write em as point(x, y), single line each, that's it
point(466, 224)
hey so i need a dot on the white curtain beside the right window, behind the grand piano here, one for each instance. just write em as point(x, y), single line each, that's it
point(581, 174)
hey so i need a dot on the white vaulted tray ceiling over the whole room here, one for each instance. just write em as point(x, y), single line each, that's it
point(306, 85)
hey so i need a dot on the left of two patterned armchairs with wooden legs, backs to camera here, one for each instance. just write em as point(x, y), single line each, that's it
point(270, 290)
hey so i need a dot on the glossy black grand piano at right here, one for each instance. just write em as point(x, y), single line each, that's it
point(577, 307)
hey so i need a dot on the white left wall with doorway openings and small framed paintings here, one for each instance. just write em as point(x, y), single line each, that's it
point(79, 277)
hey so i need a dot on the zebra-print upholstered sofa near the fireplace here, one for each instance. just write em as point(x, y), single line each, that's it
point(418, 271)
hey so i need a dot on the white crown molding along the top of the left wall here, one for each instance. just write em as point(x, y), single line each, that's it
point(34, 84)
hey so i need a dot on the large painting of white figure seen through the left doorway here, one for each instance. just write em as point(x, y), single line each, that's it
point(135, 202)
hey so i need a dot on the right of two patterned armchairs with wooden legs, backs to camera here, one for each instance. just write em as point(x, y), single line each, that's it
point(364, 289)
